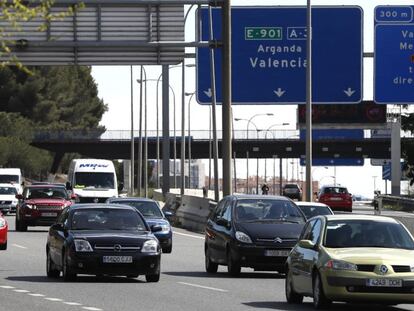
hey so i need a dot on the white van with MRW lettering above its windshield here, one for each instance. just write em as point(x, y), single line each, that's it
point(92, 180)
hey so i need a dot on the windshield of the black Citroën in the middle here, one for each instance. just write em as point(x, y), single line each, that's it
point(267, 210)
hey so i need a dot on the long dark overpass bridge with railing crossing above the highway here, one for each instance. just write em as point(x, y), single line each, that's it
point(259, 144)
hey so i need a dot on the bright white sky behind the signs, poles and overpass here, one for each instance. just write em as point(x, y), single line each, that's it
point(114, 87)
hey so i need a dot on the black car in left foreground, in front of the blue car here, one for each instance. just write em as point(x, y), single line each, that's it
point(101, 239)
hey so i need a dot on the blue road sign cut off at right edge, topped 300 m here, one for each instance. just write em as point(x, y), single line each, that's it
point(394, 55)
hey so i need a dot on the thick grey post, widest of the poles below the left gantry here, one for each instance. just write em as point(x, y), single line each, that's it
point(165, 131)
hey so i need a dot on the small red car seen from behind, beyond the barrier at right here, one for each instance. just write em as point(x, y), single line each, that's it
point(336, 197)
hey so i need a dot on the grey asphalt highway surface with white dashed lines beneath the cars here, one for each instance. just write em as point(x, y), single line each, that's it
point(184, 286)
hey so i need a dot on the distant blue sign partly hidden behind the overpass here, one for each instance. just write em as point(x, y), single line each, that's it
point(334, 134)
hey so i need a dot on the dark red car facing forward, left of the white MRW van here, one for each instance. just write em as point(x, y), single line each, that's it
point(41, 205)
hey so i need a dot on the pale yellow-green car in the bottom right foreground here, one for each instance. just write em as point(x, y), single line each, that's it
point(355, 258)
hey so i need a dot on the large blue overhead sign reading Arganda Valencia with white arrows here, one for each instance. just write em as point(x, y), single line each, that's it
point(269, 55)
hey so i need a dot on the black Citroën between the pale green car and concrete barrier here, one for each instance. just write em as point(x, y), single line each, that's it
point(252, 231)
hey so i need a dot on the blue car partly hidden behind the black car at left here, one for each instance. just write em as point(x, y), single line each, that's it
point(153, 216)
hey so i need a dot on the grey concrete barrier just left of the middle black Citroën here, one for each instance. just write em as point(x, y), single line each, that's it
point(193, 212)
